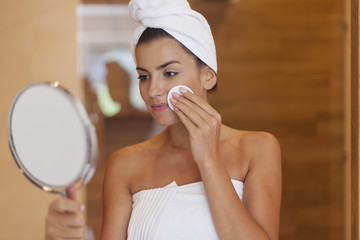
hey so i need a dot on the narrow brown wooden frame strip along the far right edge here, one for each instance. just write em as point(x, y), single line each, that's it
point(354, 119)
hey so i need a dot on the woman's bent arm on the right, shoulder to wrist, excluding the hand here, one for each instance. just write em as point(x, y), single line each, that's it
point(257, 217)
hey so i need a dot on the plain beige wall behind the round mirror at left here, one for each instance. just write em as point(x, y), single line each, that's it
point(37, 43)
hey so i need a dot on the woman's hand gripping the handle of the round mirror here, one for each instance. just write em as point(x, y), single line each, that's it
point(65, 219)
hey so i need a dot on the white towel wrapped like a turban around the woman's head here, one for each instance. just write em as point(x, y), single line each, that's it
point(176, 18)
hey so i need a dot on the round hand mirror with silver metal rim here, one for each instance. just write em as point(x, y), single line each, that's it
point(51, 138)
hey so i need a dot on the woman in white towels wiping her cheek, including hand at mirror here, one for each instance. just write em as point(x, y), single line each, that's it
point(198, 179)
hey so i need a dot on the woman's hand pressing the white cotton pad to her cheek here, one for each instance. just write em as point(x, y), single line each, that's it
point(202, 122)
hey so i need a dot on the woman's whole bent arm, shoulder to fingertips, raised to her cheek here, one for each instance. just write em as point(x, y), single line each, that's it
point(256, 218)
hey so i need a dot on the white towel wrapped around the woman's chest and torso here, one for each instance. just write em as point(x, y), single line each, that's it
point(174, 212)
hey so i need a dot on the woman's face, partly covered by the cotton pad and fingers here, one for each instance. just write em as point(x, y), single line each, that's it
point(161, 65)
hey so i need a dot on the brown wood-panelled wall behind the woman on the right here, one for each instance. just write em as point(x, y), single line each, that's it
point(281, 71)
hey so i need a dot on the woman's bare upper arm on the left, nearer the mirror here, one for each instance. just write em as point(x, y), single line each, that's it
point(117, 199)
